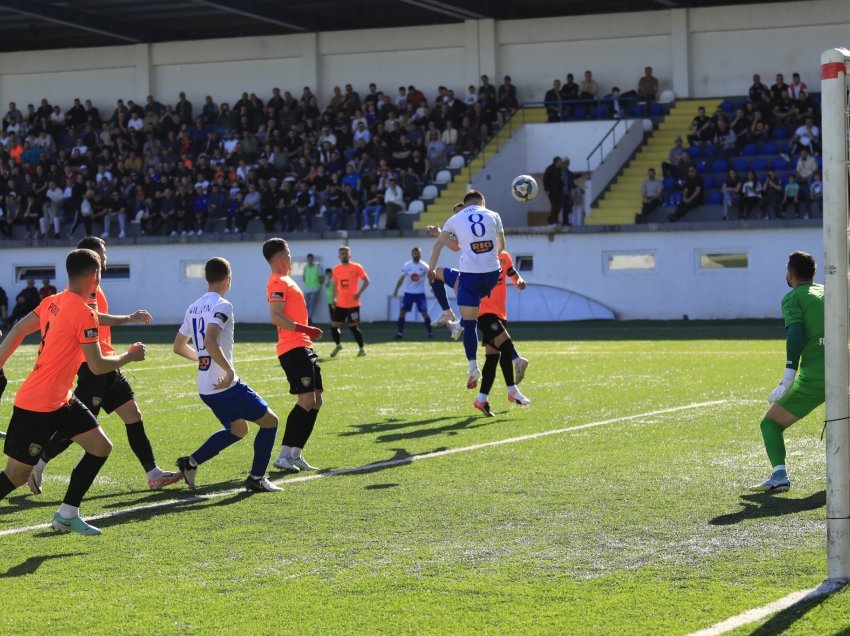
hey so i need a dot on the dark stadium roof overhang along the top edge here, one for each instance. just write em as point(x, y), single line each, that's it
point(27, 25)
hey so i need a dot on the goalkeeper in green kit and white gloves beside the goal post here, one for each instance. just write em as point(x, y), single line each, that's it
point(798, 394)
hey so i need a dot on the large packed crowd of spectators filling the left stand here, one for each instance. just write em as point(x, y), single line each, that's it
point(172, 168)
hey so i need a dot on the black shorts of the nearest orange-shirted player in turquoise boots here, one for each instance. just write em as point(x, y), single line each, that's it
point(29, 431)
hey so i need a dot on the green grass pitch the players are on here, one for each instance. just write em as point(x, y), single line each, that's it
point(640, 524)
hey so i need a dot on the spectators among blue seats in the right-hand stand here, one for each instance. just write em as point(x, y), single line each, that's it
point(772, 141)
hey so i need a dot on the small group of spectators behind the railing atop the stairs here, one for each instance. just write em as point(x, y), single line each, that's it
point(569, 100)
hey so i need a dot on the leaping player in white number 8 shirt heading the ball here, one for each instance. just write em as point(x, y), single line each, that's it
point(481, 239)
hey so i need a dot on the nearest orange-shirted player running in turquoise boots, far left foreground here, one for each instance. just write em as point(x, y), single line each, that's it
point(44, 405)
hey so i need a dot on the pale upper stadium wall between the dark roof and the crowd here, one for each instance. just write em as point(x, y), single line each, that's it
point(697, 52)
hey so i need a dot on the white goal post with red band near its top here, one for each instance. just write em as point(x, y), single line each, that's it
point(834, 131)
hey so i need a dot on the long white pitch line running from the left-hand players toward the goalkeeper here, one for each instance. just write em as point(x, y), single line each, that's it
point(376, 466)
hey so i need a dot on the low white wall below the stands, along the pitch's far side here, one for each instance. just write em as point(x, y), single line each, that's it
point(576, 263)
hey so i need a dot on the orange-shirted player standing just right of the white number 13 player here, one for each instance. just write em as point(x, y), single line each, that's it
point(288, 312)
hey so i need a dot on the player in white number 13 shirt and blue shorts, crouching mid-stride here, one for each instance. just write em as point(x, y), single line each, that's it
point(209, 324)
